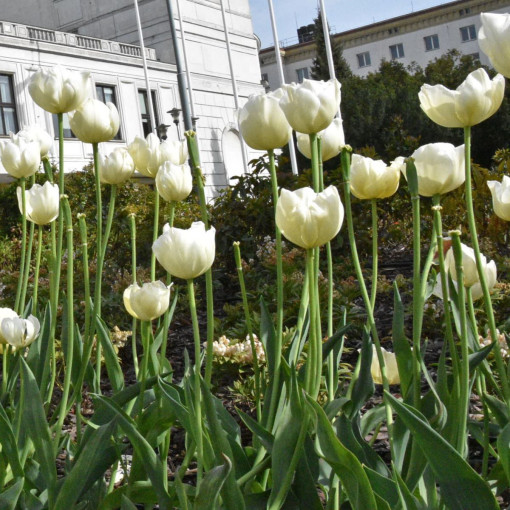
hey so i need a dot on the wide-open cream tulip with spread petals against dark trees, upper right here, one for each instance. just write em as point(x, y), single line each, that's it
point(475, 99)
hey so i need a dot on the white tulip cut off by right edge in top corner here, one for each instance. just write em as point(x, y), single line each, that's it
point(494, 40)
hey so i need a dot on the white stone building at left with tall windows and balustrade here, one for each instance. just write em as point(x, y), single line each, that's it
point(101, 38)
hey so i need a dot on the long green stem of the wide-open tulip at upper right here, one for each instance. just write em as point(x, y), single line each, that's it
point(481, 273)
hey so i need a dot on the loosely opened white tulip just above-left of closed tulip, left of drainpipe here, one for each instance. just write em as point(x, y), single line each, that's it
point(150, 154)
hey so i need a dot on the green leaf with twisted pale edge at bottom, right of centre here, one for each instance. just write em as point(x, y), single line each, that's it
point(345, 464)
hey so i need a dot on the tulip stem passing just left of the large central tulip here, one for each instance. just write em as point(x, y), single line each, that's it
point(275, 394)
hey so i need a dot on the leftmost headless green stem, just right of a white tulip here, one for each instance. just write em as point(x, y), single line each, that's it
point(70, 322)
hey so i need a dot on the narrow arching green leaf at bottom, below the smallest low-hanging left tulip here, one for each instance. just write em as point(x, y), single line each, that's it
point(151, 462)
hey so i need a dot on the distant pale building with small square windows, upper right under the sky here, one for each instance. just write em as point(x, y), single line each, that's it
point(418, 38)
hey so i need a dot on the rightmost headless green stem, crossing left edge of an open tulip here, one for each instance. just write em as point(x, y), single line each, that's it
point(463, 401)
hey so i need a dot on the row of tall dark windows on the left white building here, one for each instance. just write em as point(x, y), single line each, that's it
point(106, 93)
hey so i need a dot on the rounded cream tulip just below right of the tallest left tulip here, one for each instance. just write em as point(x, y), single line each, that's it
point(94, 121)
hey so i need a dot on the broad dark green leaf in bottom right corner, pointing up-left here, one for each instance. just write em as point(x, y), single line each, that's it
point(461, 486)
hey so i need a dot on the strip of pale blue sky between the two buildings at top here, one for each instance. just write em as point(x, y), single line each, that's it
point(342, 15)
